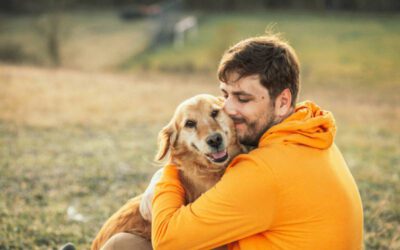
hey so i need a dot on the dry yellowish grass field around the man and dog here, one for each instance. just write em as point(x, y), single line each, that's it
point(76, 143)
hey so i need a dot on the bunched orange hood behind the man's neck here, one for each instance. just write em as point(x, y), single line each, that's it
point(309, 125)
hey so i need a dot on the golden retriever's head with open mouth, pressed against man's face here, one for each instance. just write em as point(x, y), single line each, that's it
point(199, 132)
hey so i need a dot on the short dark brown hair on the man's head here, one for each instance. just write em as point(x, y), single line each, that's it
point(269, 57)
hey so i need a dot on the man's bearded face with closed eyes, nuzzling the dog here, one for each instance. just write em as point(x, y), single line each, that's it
point(248, 103)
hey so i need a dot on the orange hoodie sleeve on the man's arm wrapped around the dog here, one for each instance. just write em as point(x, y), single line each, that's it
point(241, 204)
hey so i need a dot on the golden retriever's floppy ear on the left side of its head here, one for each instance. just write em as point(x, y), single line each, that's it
point(166, 138)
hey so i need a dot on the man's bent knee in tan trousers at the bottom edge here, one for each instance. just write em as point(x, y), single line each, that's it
point(127, 241)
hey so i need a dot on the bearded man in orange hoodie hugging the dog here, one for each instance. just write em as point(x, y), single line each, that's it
point(293, 191)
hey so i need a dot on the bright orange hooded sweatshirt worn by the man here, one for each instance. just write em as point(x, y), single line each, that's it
point(294, 191)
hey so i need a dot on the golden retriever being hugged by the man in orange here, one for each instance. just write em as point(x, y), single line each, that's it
point(200, 140)
